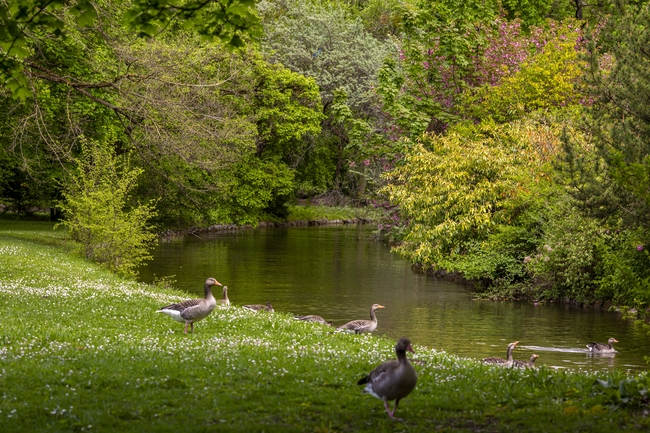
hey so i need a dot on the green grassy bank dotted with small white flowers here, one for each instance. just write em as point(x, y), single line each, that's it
point(84, 350)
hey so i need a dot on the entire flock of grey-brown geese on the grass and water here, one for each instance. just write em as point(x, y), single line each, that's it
point(391, 380)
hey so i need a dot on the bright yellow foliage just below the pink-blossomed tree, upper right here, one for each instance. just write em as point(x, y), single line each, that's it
point(547, 80)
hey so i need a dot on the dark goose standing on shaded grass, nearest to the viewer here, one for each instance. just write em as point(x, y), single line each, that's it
point(392, 380)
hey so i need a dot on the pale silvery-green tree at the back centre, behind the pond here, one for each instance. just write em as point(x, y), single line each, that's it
point(343, 58)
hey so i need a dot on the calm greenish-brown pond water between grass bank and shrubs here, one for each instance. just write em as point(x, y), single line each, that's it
point(338, 272)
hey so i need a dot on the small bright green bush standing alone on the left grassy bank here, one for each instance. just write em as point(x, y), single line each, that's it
point(98, 213)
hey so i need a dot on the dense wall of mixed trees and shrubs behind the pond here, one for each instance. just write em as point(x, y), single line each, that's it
point(507, 140)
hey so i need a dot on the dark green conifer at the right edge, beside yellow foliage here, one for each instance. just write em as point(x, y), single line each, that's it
point(615, 183)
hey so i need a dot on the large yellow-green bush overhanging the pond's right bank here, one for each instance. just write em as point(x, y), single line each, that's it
point(459, 186)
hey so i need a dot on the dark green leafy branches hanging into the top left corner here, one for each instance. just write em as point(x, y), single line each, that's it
point(24, 22)
